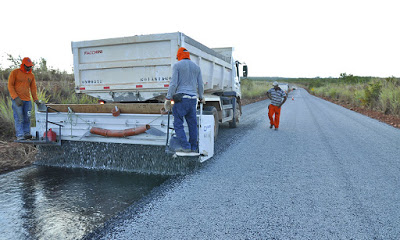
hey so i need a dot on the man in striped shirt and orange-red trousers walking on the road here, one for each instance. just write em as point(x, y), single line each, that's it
point(276, 94)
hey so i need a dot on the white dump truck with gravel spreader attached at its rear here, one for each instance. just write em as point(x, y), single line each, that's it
point(127, 130)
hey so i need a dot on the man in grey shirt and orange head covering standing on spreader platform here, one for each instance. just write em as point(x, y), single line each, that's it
point(185, 84)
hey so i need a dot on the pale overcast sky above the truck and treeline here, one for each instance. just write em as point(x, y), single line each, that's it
point(287, 38)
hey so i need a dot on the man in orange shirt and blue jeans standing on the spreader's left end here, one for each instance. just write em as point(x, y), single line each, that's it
point(21, 84)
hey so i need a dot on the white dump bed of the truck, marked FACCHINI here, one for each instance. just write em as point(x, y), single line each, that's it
point(139, 68)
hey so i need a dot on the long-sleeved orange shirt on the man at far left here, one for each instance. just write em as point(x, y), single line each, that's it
point(22, 84)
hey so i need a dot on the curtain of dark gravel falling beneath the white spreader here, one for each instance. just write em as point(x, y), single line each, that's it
point(143, 159)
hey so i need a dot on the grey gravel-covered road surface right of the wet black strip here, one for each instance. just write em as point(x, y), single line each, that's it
point(327, 173)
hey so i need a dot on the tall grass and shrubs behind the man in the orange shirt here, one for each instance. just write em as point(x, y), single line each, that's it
point(53, 86)
